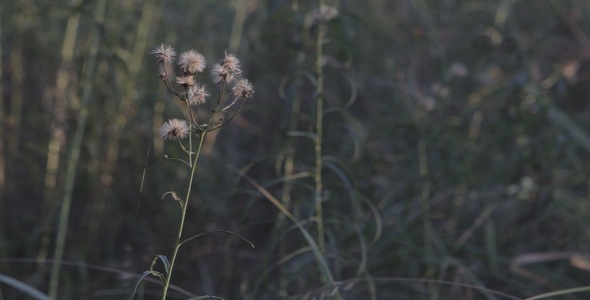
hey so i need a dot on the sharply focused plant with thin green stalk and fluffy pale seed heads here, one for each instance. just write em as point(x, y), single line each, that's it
point(225, 73)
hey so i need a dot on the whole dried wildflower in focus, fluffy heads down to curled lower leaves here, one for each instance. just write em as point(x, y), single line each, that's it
point(233, 91)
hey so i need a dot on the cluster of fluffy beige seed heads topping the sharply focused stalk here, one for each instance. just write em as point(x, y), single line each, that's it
point(227, 72)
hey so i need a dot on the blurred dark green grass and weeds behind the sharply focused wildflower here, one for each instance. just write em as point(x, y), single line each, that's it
point(455, 148)
